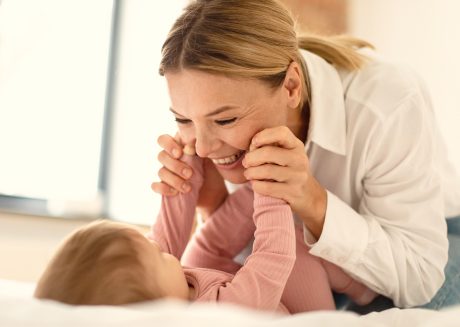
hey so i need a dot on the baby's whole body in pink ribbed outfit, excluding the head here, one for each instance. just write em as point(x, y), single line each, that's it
point(280, 274)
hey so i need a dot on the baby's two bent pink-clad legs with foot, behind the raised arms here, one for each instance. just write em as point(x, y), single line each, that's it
point(229, 230)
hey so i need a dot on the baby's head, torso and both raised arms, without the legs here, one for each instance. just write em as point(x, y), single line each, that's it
point(110, 263)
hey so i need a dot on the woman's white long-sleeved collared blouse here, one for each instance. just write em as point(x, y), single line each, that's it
point(374, 145)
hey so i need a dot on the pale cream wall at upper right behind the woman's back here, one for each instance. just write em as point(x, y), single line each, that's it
point(425, 34)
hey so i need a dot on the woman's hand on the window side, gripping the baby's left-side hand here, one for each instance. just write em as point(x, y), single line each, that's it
point(174, 175)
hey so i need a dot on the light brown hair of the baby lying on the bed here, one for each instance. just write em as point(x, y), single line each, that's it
point(98, 264)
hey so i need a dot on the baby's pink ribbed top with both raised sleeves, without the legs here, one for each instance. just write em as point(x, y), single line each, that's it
point(260, 282)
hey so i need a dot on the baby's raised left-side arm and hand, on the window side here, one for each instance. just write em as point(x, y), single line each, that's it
point(174, 223)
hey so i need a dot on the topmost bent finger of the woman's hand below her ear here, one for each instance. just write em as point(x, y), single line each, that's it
point(281, 136)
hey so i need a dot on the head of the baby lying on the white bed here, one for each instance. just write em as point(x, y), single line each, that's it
point(110, 263)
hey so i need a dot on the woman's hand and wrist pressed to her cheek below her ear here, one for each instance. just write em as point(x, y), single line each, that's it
point(278, 166)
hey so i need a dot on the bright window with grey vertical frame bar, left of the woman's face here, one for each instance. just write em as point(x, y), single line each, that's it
point(67, 69)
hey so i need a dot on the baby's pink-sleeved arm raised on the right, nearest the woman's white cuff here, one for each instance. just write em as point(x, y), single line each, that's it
point(260, 282)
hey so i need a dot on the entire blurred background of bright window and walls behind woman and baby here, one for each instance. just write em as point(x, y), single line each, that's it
point(81, 103)
